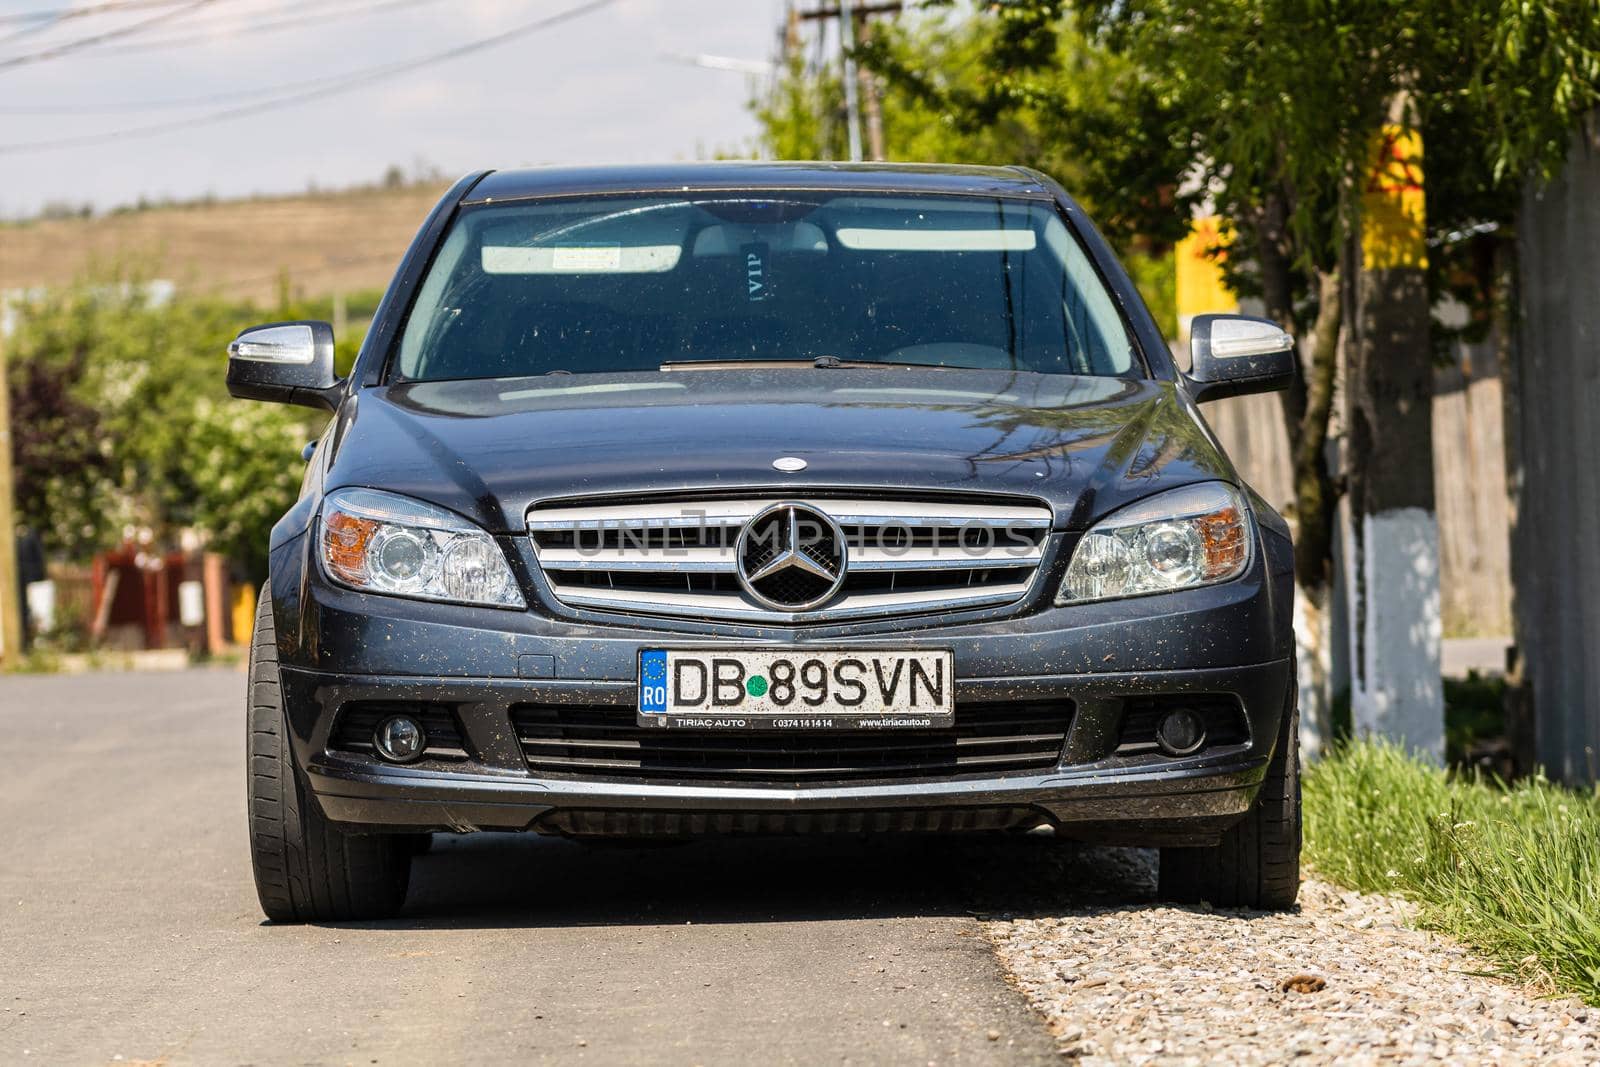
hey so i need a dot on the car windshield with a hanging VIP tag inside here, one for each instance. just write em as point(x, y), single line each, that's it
point(606, 286)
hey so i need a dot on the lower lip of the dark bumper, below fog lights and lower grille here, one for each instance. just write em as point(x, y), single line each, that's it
point(1170, 805)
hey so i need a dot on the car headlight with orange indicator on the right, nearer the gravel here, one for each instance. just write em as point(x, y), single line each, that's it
point(1193, 537)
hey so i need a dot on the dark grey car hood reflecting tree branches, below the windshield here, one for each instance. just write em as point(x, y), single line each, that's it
point(495, 447)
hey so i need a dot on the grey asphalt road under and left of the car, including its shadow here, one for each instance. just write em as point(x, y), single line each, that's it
point(130, 929)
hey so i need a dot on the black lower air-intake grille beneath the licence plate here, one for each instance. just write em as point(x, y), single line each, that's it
point(606, 743)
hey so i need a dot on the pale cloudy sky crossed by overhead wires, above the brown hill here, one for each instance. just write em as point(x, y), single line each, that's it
point(602, 87)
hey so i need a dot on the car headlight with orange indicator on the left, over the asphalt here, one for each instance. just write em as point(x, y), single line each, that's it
point(391, 545)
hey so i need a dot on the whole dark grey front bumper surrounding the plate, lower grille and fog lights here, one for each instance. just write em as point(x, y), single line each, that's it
point(340, 649)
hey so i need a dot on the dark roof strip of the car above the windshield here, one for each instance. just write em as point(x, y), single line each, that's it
point(926, 178)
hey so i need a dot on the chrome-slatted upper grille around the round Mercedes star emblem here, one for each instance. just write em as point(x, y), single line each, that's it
point(681, 557)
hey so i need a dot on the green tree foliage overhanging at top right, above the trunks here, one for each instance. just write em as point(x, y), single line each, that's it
point(1270, 106)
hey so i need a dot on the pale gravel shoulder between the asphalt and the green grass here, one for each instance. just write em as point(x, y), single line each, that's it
point(1346, 980)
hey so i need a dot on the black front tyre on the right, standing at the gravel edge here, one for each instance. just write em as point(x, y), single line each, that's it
point(1257, 865)
